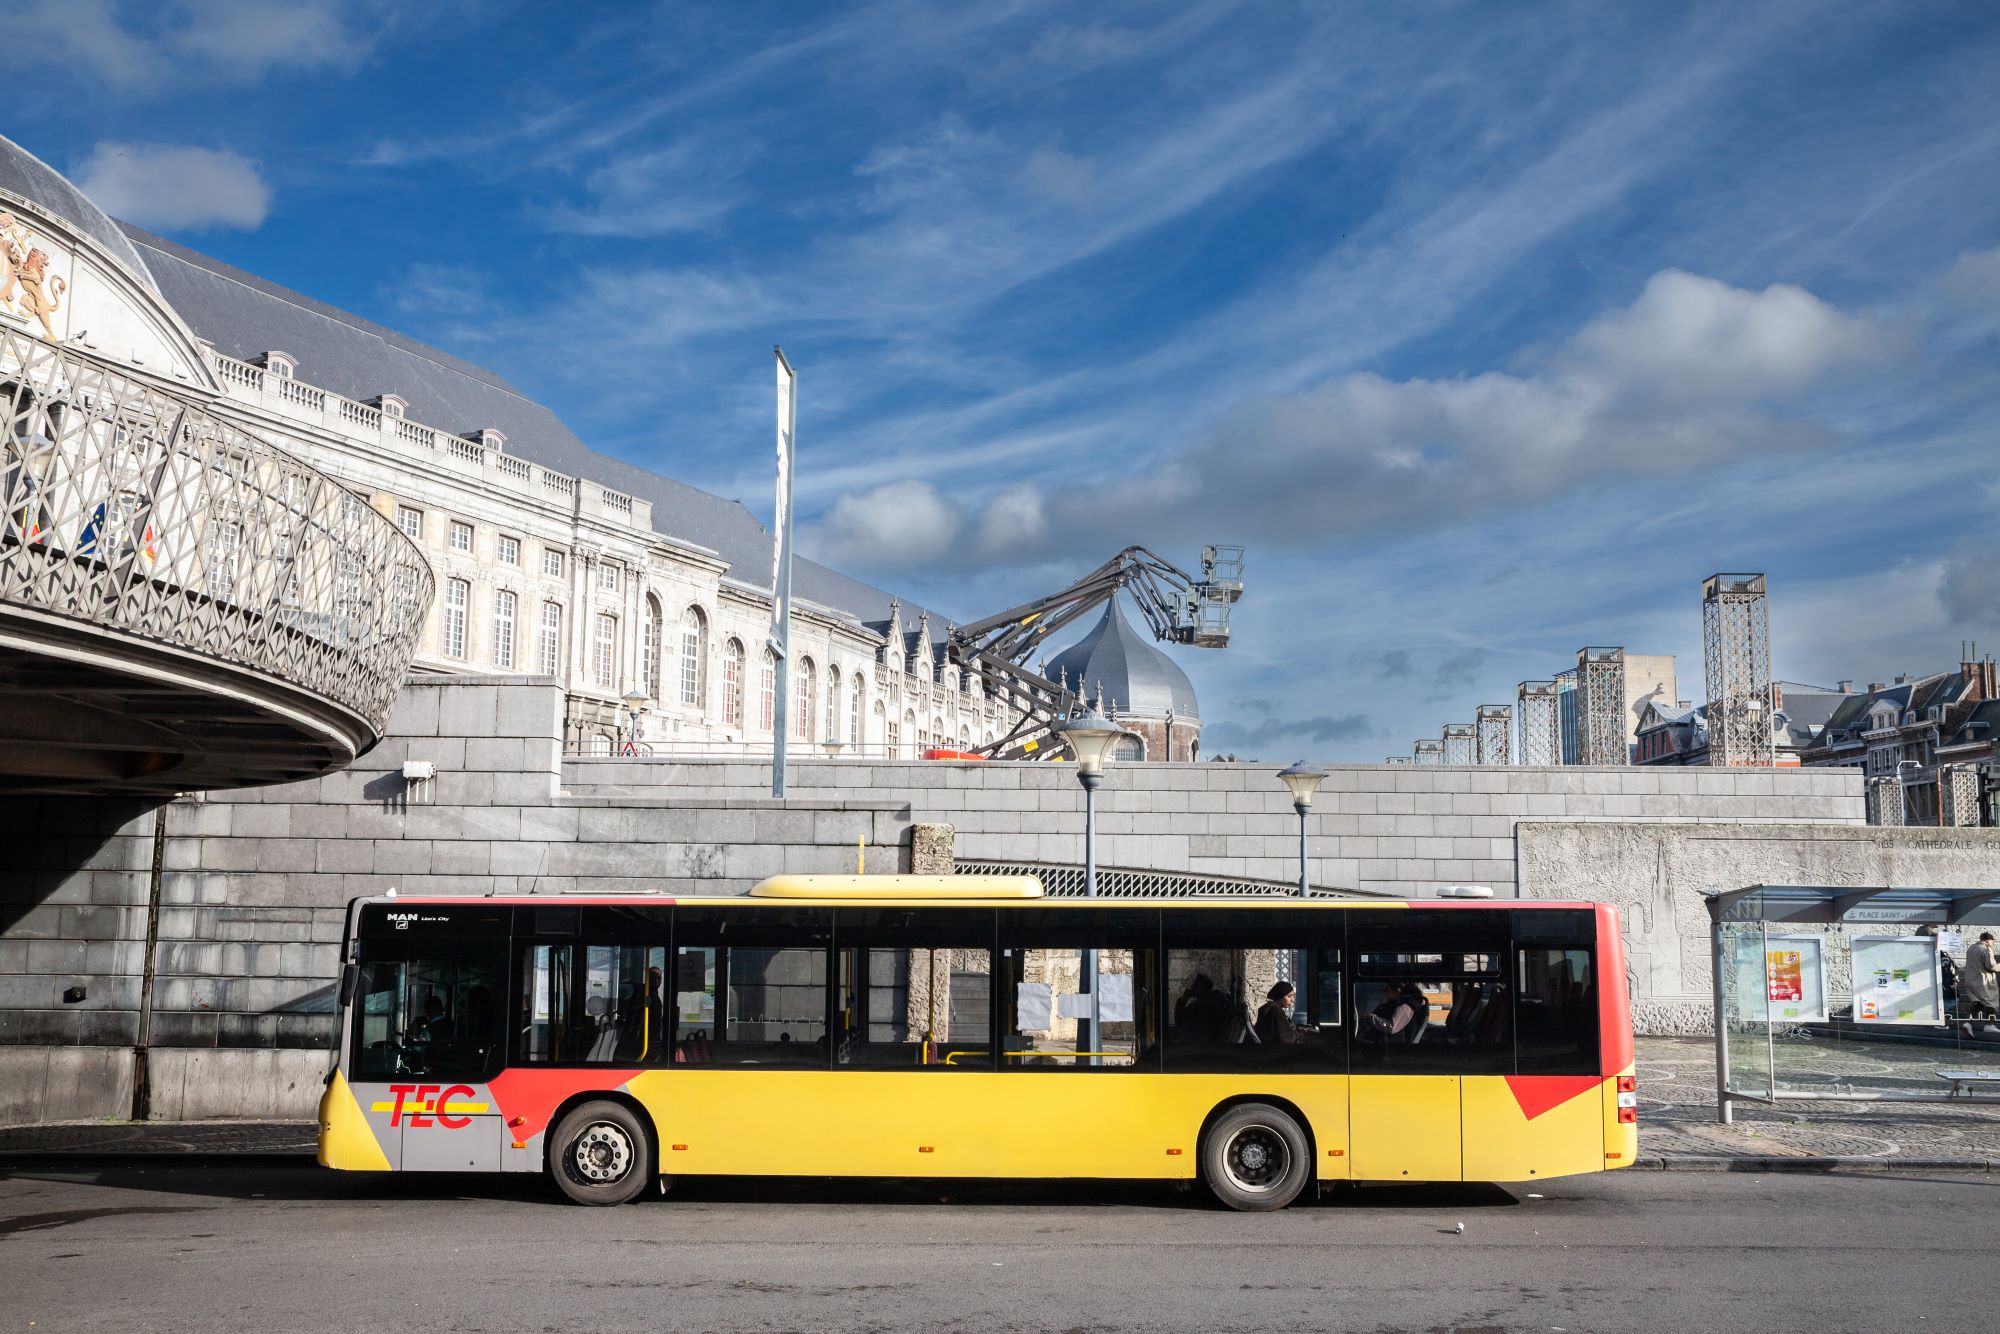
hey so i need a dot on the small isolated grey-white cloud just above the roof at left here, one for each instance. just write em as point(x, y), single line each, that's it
point(175, 187)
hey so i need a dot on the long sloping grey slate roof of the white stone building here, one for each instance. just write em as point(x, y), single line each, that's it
point(247, 317)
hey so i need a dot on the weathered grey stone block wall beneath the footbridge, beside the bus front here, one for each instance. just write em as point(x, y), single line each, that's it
point(251, 897)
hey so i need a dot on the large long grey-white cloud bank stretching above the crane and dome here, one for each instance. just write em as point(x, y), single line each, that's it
point(1683, 377)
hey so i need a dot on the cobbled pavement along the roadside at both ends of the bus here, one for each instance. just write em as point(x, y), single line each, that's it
point(1677, 1079)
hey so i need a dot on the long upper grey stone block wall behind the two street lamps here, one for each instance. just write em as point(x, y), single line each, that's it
point(1379, 829)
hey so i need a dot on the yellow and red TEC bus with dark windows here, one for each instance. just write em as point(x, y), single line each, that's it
point(967, 1027)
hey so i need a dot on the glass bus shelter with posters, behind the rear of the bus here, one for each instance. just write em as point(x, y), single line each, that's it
point(1845, 995)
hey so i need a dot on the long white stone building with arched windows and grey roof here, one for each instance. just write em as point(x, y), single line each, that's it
point(551, 559)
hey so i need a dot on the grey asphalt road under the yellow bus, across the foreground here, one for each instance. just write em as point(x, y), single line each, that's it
point(277, 1249)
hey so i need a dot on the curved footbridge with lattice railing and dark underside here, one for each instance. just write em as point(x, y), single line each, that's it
point(183, 605)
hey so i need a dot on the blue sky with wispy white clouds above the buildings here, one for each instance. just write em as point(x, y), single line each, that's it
point(1491, 331)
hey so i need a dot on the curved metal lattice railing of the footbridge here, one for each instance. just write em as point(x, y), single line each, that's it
point(131, 509)
